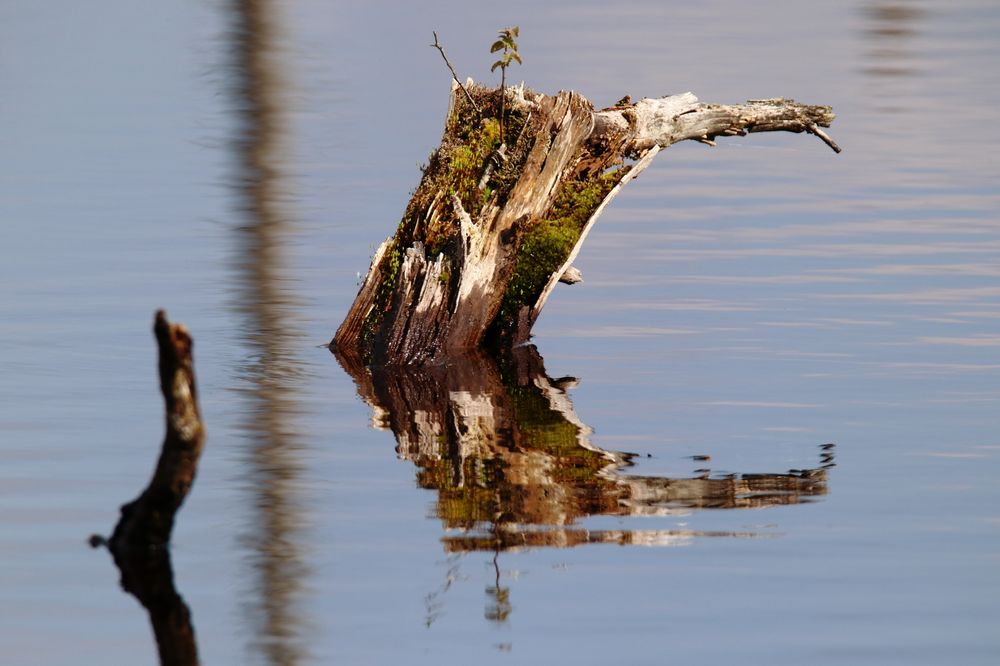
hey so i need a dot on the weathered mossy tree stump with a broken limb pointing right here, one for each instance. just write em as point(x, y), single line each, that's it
point(497, 221)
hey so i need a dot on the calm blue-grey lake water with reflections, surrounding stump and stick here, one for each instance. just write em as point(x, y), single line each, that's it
point(237, 162)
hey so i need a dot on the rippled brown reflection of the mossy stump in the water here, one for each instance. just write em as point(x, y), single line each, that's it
point(502, 445)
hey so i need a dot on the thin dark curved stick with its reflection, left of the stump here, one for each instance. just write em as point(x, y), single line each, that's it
point(139, 542)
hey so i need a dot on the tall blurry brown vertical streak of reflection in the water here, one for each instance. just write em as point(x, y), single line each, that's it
point(270, 369)
